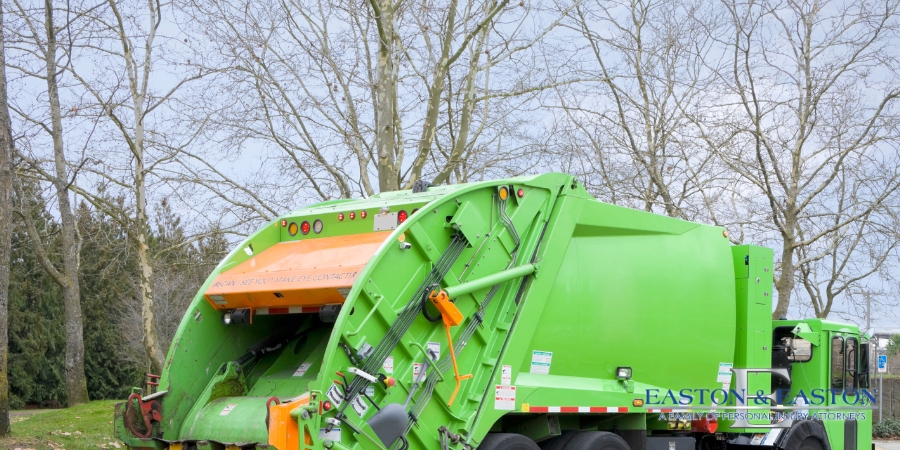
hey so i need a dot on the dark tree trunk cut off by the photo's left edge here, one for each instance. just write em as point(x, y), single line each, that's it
point(6, 210)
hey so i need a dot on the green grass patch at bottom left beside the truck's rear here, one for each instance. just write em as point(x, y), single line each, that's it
point(81, 427)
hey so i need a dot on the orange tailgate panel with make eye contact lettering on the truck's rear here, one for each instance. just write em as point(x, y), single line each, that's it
point(297, 273)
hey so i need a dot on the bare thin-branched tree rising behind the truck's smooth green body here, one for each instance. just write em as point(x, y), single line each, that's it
point(632, 126)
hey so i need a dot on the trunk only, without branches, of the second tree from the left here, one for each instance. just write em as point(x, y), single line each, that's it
point(76, 383)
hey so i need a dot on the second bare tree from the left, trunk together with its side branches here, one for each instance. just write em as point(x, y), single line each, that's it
point(42, 38)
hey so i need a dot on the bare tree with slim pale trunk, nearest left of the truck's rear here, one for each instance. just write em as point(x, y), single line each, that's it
point(119, 85)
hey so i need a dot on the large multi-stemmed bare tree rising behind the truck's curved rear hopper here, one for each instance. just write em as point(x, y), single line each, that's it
point(341, 93)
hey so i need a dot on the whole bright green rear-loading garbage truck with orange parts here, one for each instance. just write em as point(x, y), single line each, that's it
point(510, 314)
